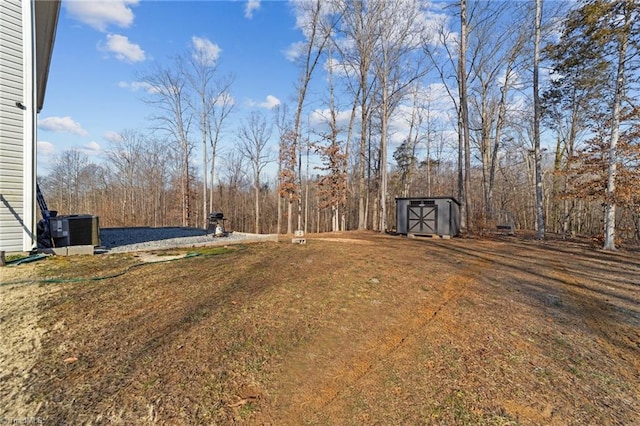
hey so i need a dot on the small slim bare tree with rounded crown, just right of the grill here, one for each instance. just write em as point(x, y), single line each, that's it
point(254, 135)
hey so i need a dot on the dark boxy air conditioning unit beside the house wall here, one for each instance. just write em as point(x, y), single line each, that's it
point(75, 230)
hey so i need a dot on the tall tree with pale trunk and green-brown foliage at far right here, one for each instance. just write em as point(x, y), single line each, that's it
point(595, 56)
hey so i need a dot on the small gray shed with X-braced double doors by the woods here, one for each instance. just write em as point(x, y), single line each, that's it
point(428, 216)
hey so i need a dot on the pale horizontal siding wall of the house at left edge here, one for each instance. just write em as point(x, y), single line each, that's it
point(17, 134)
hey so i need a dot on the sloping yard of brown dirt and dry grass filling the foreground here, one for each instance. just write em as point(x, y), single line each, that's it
point(351, 328)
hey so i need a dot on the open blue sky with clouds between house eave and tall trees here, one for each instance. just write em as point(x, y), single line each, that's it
point(101, 50)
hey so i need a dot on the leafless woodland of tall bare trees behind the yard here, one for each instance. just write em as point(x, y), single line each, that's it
point(521, 109)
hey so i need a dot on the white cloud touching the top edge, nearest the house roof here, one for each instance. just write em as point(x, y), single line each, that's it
point(101, 14)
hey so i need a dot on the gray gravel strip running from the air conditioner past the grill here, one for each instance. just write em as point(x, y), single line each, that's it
point(118, 240)
